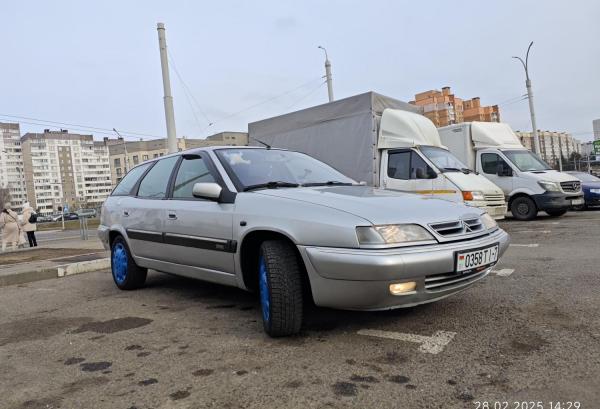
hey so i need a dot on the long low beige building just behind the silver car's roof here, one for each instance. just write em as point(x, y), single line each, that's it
point(125, 155)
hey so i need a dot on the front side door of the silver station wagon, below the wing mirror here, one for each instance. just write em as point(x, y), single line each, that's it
point(198, 232)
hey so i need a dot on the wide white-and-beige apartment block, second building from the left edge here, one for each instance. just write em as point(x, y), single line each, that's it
point(63, 168)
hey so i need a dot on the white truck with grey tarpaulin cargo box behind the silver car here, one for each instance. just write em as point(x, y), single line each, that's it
point(383, 142)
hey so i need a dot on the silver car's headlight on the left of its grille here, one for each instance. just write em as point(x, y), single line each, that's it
point(392, 234)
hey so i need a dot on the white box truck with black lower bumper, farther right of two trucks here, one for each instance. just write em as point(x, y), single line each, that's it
point(529, 184)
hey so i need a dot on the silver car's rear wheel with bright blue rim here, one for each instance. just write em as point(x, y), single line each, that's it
point(127, 275)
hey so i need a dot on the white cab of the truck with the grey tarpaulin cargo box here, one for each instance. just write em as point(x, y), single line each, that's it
point(413, 159)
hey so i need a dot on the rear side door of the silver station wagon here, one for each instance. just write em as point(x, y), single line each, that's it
point(146, 213)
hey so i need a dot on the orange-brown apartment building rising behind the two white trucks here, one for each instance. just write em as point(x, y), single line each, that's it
point(444, 108)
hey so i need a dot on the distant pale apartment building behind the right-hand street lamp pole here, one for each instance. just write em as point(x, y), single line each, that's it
point(551, 144)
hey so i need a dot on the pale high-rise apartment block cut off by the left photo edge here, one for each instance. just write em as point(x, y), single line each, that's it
point(12, 177)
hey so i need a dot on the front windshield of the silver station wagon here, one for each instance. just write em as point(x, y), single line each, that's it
point(272, 168)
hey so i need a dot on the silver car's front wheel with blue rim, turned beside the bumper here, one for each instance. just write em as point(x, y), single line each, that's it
point(280, 284)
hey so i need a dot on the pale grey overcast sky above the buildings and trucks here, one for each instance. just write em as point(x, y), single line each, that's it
point(98, 64)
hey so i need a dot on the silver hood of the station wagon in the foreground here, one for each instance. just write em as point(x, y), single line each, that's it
point(377, 205)
